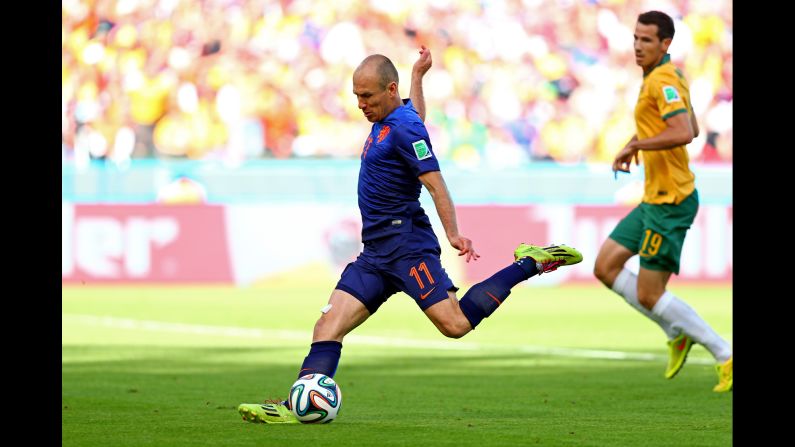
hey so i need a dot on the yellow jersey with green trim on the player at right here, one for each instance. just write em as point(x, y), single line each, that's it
point(664, 93)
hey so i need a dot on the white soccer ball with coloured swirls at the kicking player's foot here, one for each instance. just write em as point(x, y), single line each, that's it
point(315, 399)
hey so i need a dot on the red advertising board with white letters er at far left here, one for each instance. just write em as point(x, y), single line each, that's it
point(144, 243)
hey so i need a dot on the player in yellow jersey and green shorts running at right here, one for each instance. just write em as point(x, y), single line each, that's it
point(655, 230)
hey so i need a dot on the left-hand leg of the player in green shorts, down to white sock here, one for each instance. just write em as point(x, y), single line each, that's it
point(613, 255)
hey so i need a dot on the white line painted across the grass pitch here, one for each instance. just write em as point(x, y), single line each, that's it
point(283, 334)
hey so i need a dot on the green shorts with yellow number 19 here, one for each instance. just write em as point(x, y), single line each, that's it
point(657, 232)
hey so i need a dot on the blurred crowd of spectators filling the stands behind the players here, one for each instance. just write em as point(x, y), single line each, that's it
point(513, 81)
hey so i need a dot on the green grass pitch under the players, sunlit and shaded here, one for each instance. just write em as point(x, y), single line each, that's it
point(554, 366)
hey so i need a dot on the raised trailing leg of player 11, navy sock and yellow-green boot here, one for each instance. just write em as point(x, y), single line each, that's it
point(456, 318)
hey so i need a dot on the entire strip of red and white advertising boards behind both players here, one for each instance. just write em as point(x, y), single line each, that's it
point(242, 244)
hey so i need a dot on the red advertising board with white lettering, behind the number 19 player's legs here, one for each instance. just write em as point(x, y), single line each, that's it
point(497, 230)
